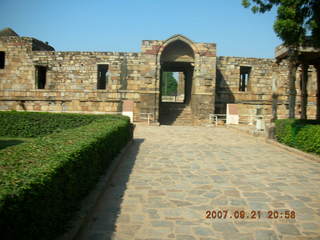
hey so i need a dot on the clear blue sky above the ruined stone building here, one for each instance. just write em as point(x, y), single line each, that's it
point(121, 25)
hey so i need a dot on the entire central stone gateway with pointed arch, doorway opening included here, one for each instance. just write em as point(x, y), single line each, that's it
point(192, 65)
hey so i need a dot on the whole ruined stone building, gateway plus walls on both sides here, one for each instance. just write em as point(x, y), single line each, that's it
point(35, 77)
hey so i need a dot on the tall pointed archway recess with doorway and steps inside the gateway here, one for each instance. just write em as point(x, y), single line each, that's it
point(176, 56)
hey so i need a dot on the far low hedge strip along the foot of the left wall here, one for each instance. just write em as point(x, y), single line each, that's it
point(32, 124)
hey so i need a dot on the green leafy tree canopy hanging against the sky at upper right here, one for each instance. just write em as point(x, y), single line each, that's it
point(298, 21)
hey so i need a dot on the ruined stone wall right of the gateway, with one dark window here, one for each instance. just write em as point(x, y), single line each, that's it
point(266, 77)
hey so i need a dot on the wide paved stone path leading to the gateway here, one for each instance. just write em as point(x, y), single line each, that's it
point(172, 175)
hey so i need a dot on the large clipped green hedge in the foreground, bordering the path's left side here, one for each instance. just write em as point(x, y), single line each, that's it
point(43, 181)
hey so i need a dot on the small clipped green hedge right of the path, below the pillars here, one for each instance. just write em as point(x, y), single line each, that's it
point(301, 134)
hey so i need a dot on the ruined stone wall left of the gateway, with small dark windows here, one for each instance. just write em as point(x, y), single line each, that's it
point(71, 83)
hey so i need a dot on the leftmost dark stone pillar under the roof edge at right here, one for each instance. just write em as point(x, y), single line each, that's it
point(292, 88)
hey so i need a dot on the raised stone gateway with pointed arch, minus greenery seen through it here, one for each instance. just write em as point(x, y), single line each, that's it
point(194, 61)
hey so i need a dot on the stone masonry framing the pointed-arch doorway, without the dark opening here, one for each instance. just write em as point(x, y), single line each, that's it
point(203, 58)
